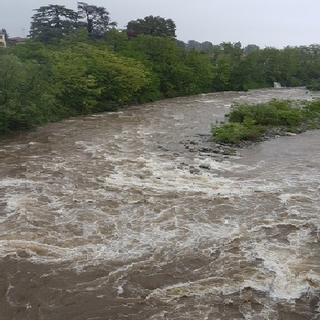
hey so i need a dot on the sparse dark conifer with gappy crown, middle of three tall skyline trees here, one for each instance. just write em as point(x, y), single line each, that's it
point(97, 19)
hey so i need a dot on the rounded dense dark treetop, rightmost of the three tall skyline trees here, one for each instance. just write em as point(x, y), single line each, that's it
point(154, 26)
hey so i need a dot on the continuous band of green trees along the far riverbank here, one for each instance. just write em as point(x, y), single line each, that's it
point(78, 62)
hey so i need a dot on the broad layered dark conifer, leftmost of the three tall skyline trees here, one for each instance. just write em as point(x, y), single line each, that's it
point(52, 22)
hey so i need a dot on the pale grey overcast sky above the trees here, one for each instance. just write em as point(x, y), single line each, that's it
point(276, 23)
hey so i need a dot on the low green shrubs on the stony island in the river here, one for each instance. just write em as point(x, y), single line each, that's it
point(255, 122)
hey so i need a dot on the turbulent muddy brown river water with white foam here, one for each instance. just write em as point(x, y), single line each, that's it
point(110, 217)
